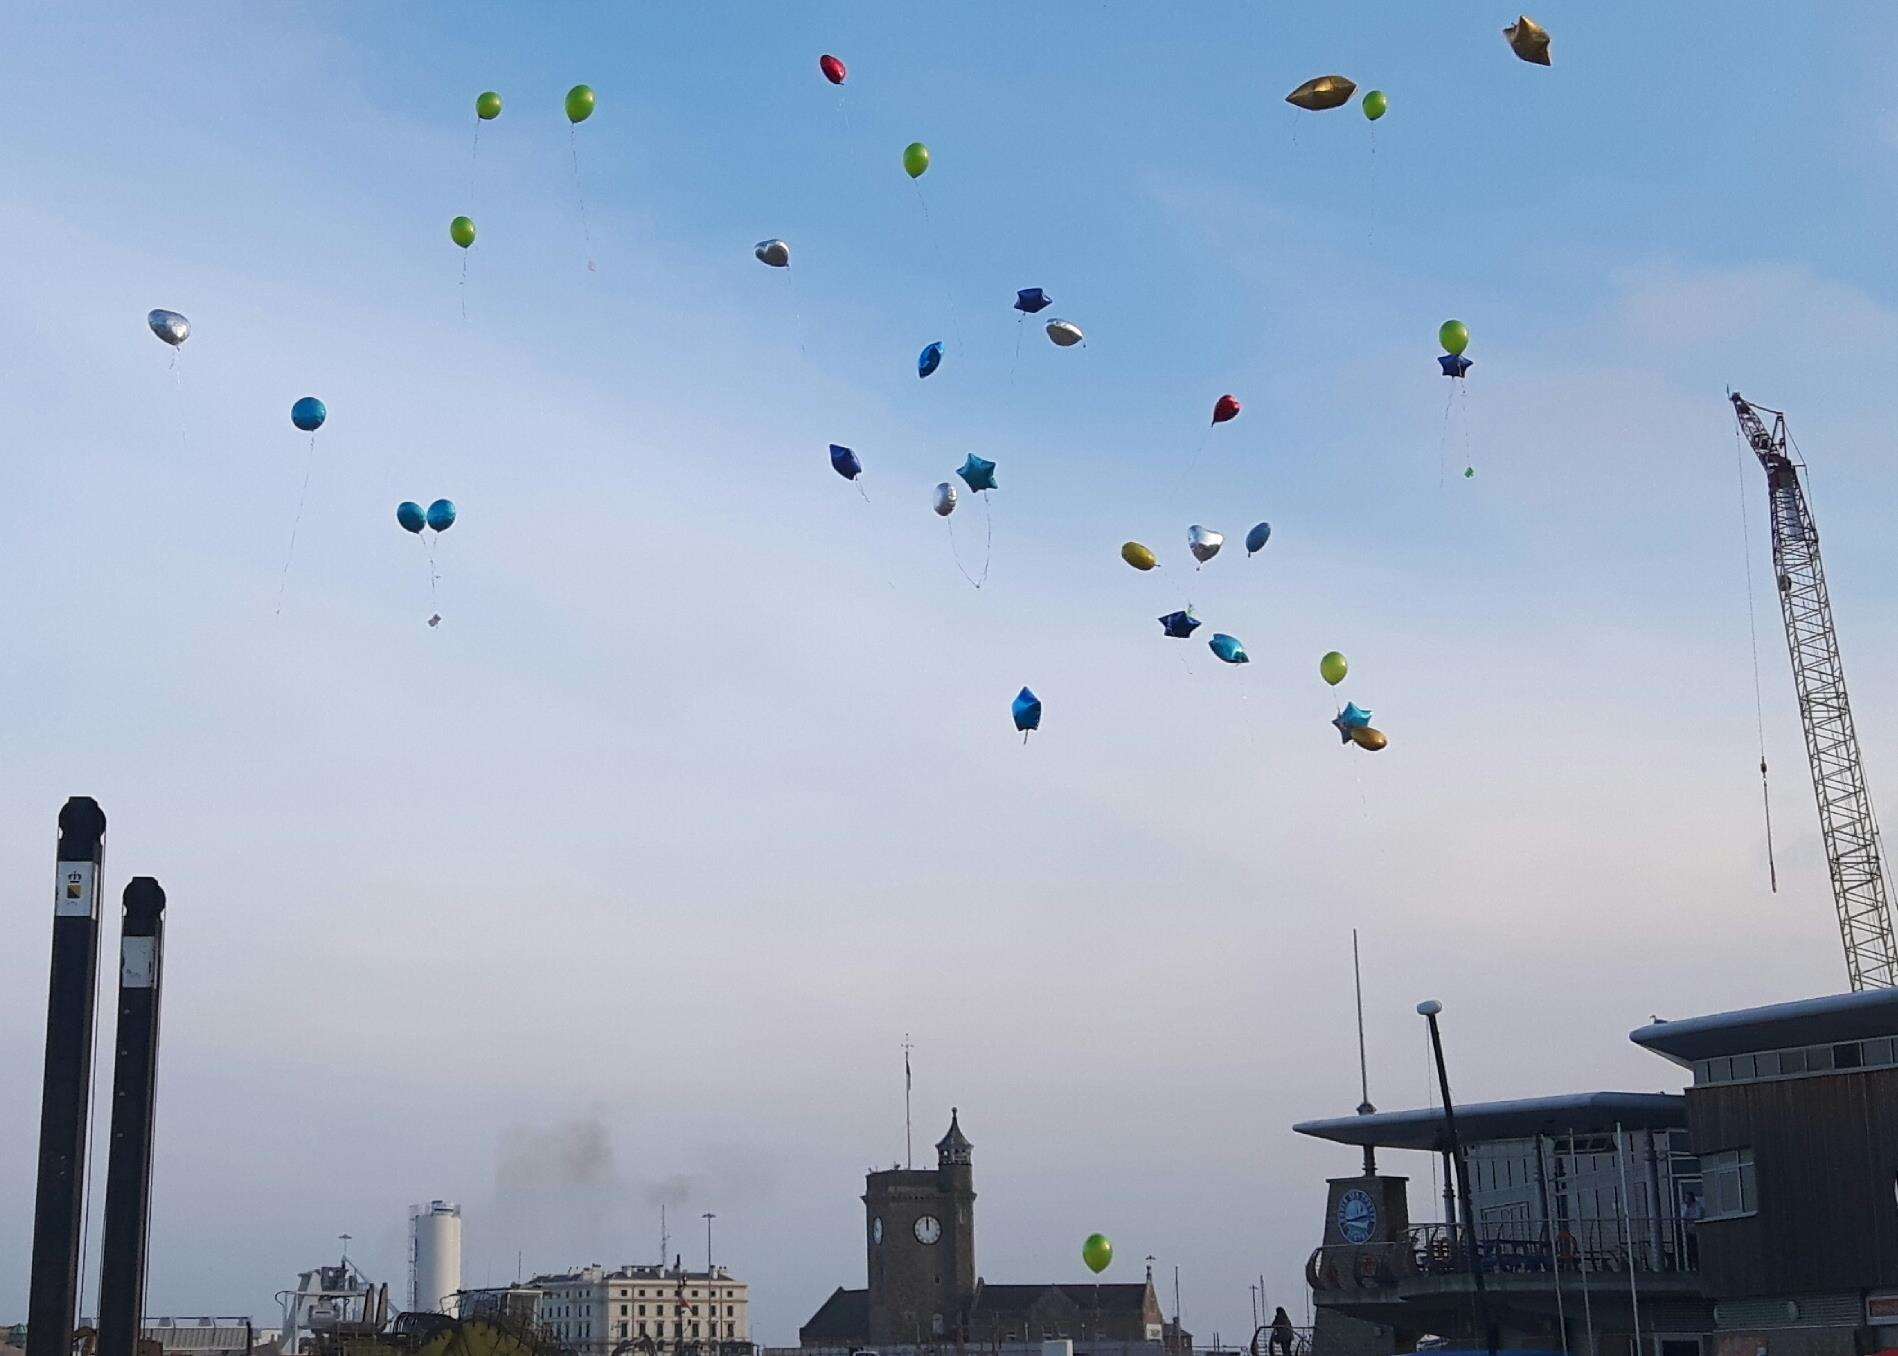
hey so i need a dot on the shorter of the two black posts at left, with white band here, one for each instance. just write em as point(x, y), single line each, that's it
point(134, 1089)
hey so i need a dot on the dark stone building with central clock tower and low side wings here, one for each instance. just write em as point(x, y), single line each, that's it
point(923, 1287)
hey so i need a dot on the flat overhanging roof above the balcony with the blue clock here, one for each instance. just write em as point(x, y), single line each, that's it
point(1523, 1120)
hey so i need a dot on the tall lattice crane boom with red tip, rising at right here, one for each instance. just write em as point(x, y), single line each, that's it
point(1846, 819)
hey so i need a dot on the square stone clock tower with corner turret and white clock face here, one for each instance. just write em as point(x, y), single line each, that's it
point(921, 1243)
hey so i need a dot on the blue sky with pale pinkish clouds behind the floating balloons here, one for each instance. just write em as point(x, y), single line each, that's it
point(623, 886)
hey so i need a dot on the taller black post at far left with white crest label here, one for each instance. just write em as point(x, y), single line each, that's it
point(65, 1101)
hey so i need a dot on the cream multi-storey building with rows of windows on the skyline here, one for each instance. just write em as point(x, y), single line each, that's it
point(652, 1309)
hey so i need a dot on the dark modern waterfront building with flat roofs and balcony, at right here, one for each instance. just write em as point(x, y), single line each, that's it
point(1753, 1216)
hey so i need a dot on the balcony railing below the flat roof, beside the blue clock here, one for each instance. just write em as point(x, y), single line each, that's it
point(1506, 1249)
